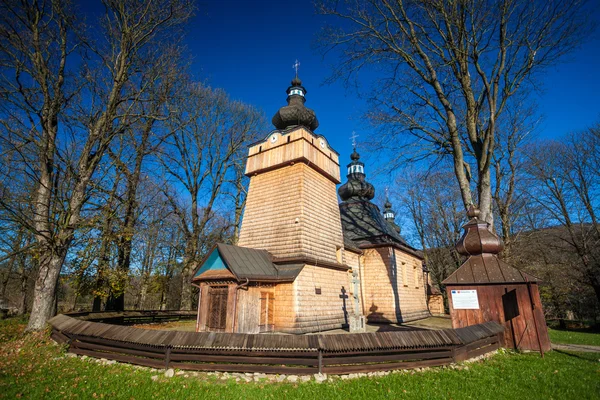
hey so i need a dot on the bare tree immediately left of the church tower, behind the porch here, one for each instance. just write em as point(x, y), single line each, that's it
point(199, 155)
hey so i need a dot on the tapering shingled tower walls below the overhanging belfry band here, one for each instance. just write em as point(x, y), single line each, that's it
point(292, 212)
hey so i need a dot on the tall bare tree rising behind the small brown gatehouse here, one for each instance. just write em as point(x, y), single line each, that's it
point(449, 68)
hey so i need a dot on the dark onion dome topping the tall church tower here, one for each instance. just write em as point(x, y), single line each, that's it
point(295, 113)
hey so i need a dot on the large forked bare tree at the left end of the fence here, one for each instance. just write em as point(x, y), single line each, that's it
point(38, 40)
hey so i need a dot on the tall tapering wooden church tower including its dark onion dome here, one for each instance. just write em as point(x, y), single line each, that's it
point(291, 208)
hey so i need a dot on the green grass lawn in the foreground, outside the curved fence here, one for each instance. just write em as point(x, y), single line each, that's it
point(32, 366)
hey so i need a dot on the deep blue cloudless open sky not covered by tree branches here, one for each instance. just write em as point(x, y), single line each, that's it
point(248, 49)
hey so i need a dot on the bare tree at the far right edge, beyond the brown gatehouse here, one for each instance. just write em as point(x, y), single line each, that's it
point(563, 181)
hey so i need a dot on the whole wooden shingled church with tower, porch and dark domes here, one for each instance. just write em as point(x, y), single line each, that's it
point(305, 262)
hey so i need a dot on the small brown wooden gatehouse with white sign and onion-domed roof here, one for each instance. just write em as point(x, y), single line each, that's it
point(485, 288)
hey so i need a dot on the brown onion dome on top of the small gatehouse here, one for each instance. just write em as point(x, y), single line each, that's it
point(477, 238)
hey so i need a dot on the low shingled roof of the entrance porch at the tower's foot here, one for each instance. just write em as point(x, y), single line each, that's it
point(251, 264)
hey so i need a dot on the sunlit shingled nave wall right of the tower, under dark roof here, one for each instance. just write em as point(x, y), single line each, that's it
point(387, 296)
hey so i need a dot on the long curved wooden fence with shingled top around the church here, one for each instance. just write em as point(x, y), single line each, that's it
point(268, 353)
